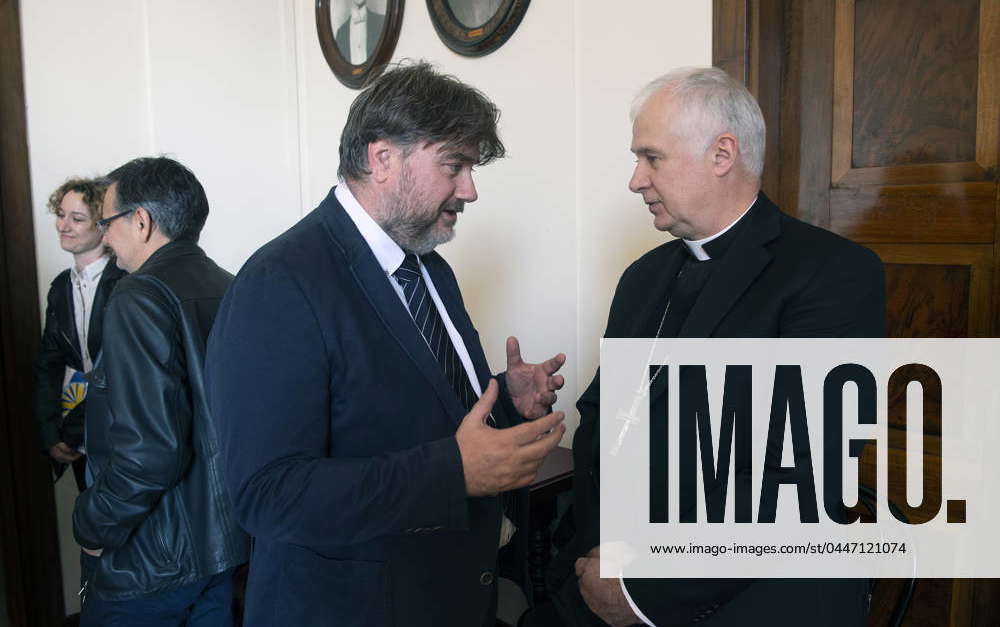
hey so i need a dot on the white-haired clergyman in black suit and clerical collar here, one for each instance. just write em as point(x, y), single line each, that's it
point(739, 268)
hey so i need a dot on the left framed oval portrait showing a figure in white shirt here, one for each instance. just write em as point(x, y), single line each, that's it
point(358, 37)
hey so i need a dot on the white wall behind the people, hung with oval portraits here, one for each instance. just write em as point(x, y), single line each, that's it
point(239, 91)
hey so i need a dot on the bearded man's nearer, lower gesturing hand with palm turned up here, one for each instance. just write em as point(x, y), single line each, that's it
point(496, 460)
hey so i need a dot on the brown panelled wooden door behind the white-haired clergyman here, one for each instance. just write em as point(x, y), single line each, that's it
point(883, 123)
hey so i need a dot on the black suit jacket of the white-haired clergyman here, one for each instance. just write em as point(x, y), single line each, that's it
point(780, 277)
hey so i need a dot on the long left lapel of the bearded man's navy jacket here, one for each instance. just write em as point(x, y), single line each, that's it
point(371, 279)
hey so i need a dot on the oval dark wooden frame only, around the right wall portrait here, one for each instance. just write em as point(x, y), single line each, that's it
point(478, 39)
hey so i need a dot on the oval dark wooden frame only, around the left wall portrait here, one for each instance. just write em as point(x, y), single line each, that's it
point(352, 75)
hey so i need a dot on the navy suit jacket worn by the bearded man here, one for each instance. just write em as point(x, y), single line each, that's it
point(337, 427)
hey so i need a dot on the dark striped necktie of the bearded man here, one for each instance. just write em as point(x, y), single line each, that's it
point(428, 320)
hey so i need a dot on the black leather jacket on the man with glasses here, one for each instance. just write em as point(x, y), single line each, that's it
point(157, 506)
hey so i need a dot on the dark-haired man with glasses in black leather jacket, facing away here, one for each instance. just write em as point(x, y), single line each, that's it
point(160, 542)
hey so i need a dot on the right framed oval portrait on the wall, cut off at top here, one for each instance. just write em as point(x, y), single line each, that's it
point(476, 27)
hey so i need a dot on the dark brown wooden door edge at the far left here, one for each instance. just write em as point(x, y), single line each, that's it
point(29, 547)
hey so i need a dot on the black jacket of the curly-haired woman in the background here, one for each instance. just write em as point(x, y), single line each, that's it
point(61, 348)
